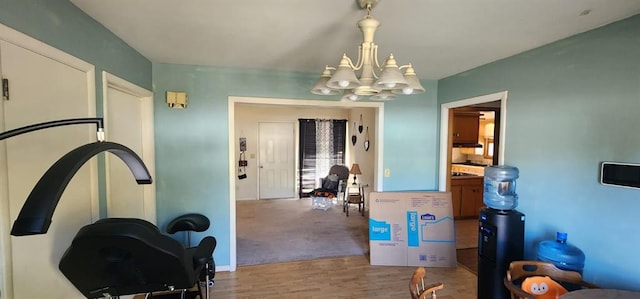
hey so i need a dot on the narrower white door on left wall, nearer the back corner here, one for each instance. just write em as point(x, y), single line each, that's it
point(129, 121)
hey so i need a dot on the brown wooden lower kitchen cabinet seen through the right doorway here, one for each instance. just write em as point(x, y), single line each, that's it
point(466, 195)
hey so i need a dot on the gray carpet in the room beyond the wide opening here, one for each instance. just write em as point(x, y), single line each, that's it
point(278, 230)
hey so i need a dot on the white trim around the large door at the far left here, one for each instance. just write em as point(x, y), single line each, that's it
point(20, 39)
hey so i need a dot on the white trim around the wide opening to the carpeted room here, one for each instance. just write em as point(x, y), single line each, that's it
point(378, 149)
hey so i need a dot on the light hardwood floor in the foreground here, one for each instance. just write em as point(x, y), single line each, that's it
point(345, 277)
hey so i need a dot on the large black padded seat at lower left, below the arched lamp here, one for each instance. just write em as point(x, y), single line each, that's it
point(125, 256)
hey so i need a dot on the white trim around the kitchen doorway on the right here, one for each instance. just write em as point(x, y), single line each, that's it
point(444, 129)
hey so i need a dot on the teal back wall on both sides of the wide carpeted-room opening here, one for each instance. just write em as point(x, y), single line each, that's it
point(192, 150)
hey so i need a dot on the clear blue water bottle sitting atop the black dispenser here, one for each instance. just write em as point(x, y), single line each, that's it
point(500, 187)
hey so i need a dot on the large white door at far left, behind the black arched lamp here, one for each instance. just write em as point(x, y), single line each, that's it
point(44, 89)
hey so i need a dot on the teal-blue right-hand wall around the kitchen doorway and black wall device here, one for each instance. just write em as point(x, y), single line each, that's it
point(571, 105)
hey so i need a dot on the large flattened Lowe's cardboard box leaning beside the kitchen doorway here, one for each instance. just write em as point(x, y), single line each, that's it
point(411, 229)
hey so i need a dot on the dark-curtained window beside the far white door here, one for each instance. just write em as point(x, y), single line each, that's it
point(322, 145)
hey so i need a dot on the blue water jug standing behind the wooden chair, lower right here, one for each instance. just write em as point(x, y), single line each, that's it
point(562, 254)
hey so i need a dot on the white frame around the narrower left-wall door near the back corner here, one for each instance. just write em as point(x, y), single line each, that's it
point(147, 139)
